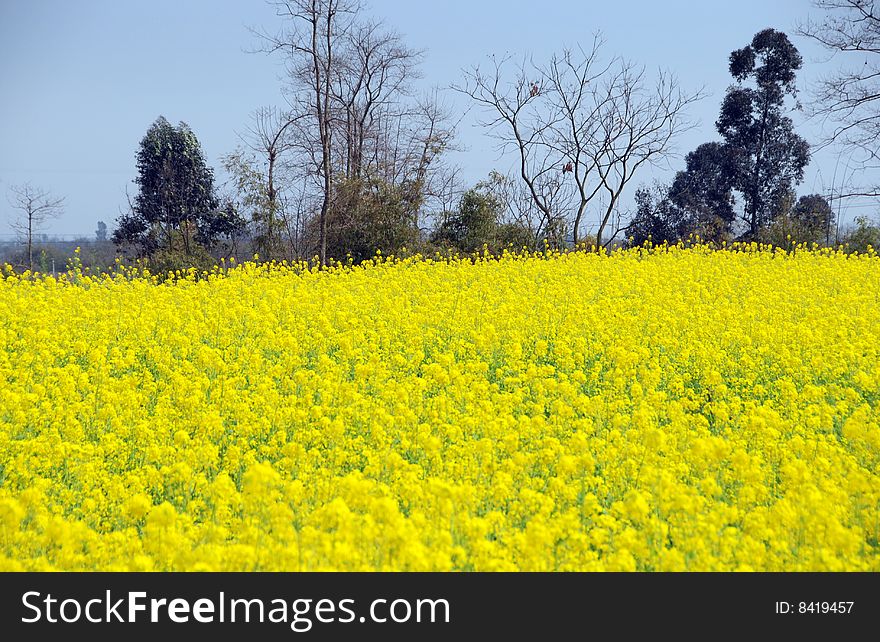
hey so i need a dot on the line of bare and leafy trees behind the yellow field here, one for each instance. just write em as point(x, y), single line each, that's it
point(357, 160)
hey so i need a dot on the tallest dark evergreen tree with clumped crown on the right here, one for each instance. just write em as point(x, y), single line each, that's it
point(770, 157)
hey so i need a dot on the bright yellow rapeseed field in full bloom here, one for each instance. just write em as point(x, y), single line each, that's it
point(674, 409)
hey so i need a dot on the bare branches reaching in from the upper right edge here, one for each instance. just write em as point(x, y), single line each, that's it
point(849, 98)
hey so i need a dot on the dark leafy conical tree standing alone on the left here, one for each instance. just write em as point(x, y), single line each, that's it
point(175, 207)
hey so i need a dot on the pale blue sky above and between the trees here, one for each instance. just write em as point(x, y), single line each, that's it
point(81, 81)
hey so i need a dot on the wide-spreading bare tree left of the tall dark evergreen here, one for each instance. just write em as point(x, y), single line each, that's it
point(598, 122)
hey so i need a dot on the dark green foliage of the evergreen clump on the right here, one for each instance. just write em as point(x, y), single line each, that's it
point(761, 158)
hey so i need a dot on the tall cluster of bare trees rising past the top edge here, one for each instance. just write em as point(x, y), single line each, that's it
point(357, 130)
